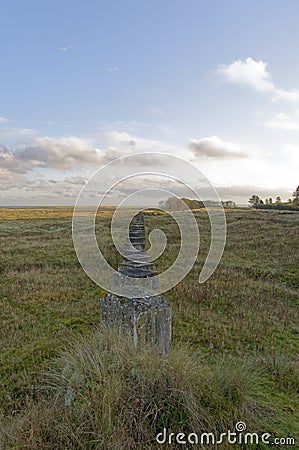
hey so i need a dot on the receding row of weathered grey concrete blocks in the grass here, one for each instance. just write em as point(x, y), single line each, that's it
point(147, 317)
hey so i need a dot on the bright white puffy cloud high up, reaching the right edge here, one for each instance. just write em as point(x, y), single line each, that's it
point(255, 74)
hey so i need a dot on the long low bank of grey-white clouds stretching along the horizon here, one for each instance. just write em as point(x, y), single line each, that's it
point(52, 170)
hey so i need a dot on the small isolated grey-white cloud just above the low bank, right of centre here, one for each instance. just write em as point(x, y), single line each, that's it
point(214, 147)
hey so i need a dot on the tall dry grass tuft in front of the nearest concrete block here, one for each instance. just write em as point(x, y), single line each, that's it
point(102, 393)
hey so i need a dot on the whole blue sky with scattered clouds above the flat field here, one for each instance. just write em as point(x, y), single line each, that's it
point(216, 83)
